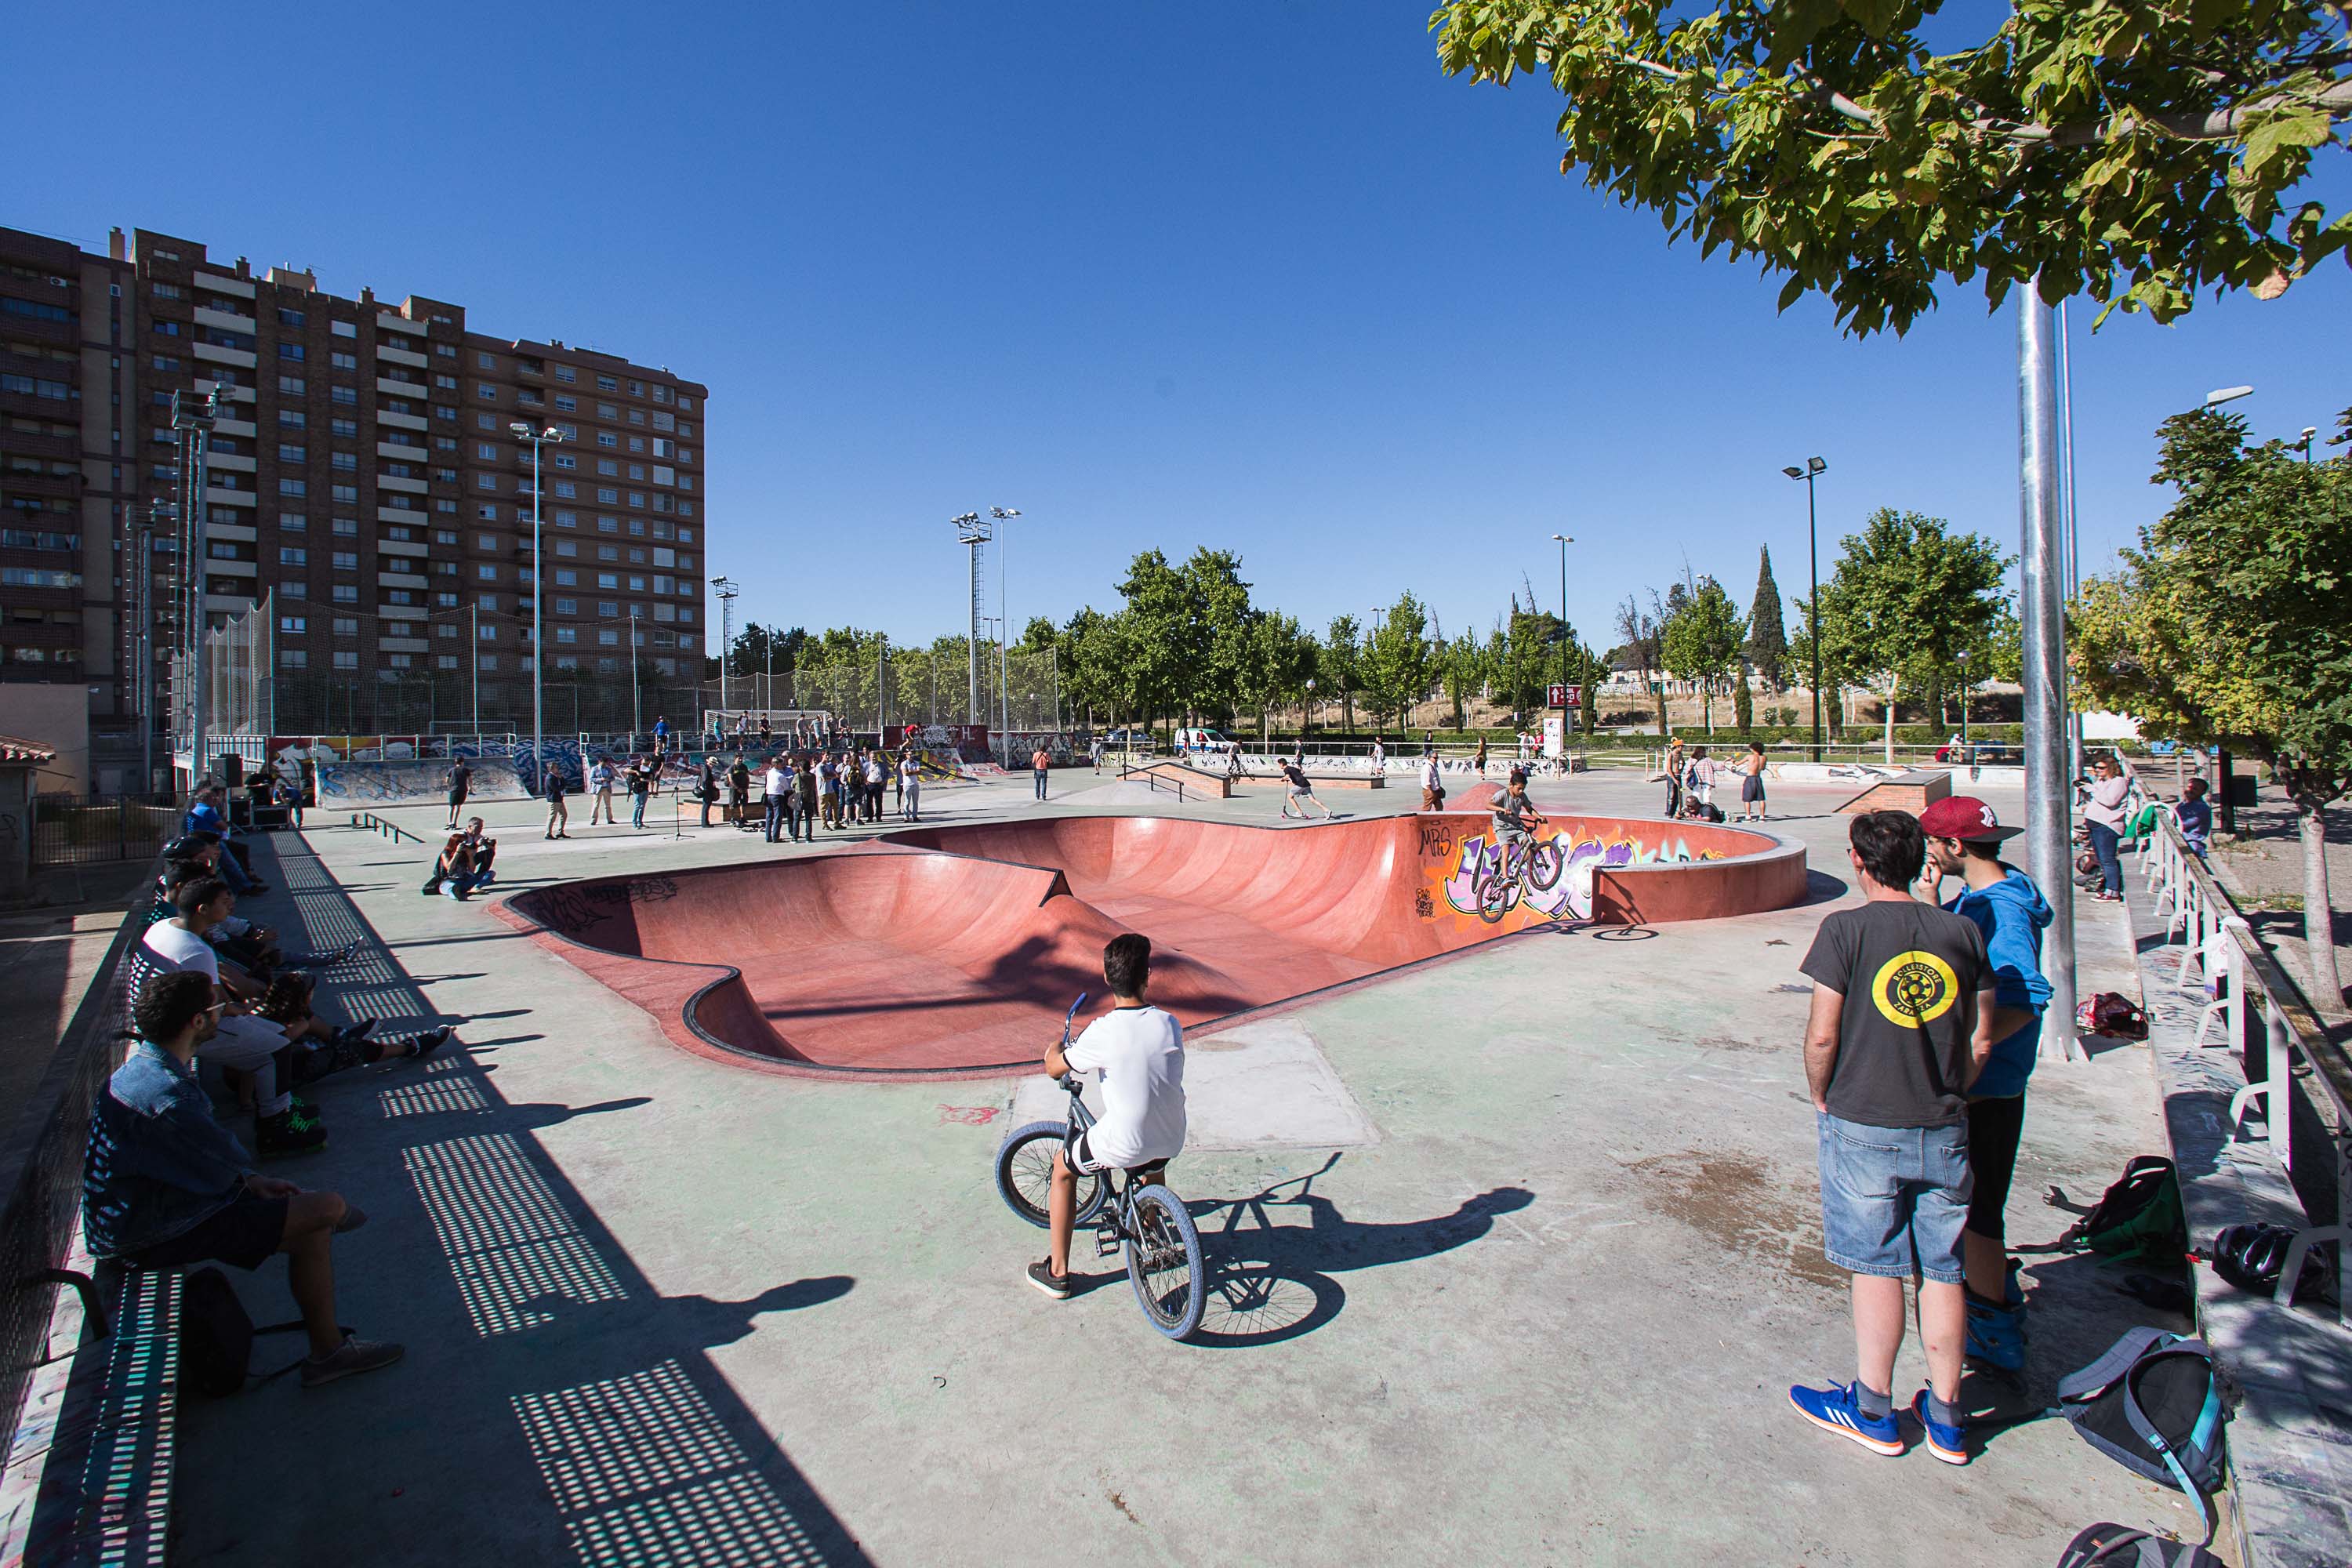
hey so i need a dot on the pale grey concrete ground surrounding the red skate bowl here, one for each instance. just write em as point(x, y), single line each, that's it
point(1514, 1257)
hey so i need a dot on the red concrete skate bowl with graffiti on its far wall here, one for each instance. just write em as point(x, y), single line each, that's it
point(956, 951)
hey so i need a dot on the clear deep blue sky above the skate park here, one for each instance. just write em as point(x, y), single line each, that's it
point(1158, 276)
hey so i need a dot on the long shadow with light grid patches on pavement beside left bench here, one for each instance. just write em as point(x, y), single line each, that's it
point(554, 1405)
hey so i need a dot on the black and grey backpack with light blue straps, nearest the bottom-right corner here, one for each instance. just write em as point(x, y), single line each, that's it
point(2153, 1407)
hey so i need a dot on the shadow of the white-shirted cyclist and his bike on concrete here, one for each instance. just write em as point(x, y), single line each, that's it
point(1271, 1282)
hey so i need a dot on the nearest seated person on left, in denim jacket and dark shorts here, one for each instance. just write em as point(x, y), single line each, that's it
point(166, 1186)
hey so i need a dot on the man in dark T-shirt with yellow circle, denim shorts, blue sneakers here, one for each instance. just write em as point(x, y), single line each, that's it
point(1904, 1005)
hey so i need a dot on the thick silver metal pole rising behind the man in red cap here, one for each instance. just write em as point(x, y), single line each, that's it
point(2043, 612)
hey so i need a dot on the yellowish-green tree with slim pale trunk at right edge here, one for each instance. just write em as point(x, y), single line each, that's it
point(2229, 629)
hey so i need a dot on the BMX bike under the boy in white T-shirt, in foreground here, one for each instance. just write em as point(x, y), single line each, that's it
point(1132, 1212)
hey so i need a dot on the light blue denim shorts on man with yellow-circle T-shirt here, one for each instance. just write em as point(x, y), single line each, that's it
point(1895, 1198)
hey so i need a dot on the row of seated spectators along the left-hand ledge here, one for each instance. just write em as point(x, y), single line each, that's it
point(166, 1184)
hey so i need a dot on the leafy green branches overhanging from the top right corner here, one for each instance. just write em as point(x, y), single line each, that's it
point(2123, 149)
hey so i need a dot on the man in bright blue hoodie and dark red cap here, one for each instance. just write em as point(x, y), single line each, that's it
point(1965, 840)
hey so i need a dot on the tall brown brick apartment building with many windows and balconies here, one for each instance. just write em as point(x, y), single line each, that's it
point(366, 478)
